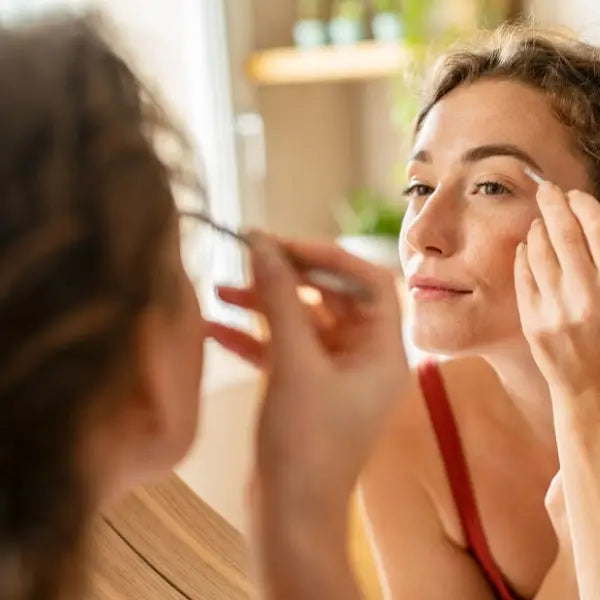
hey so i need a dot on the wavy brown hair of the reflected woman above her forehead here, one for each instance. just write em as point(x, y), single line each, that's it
point(564, 69)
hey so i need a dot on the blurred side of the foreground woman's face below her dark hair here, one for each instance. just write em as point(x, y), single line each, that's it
point(157, 425)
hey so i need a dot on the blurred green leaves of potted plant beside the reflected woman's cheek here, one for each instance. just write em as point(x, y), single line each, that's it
point(367, 212)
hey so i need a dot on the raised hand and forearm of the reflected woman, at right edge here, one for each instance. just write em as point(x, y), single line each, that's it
point(557, 275)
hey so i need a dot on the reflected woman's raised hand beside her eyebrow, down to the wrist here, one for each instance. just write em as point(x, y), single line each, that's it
point(557, 281)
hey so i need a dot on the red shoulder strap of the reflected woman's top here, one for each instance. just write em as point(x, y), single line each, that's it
point(450, 445)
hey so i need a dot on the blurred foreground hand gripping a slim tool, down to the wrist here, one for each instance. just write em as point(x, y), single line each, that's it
point(335, 369)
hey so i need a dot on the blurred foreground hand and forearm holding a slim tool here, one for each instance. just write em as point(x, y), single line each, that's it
point(334, 373)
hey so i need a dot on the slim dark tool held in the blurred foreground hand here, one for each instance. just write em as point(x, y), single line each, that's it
point(320, 278)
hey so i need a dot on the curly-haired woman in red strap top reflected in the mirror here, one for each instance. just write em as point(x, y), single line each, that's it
point(455, 489)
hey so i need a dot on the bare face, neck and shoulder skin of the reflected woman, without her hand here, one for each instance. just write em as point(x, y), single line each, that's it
point(462, 227)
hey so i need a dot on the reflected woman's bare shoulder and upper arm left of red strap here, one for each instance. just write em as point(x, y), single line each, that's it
point(410, 511)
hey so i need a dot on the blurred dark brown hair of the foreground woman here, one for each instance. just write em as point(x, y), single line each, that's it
point(85, 206)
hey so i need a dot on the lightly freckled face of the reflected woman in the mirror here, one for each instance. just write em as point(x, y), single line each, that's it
point(470, 204)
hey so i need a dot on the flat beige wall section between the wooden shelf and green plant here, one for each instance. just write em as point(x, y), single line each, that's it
point(313, 155)
